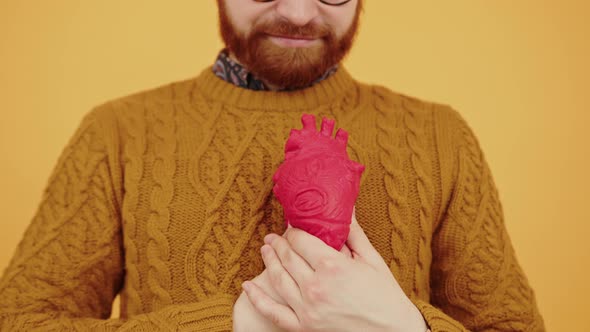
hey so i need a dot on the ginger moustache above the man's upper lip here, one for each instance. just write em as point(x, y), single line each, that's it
point(286, 29)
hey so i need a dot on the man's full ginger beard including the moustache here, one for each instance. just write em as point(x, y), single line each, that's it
point(286, 67)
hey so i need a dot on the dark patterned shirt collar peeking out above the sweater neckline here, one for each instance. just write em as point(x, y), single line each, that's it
point(228, 68)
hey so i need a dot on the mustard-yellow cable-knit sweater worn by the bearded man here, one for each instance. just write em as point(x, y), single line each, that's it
point(165, 197)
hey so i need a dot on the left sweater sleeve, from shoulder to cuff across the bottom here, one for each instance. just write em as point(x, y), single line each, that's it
point(69, 265)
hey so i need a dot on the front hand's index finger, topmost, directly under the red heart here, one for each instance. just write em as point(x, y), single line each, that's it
point(313, 250)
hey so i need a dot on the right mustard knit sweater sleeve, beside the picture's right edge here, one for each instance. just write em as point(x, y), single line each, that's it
point(477, 283)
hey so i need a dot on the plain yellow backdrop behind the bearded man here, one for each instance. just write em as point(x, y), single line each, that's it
point(517, 70)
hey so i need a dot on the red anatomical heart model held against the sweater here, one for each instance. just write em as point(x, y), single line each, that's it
point(318, 183)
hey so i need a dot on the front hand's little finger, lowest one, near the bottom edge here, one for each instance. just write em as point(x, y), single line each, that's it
point(280, 315)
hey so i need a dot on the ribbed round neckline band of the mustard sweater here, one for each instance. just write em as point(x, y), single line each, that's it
point(325, 92)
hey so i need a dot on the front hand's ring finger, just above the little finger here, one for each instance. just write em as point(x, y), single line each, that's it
point(280, 278)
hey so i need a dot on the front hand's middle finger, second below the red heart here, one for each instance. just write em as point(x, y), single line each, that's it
point(297, 267)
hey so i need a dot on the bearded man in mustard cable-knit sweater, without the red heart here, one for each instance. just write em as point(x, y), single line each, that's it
point(165, 197)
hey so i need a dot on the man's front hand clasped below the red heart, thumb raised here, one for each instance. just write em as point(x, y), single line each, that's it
point(328, 291)
